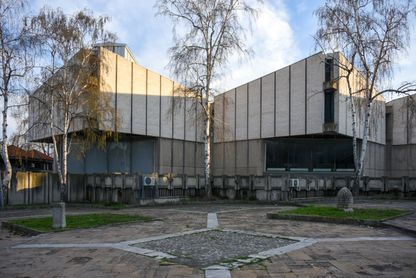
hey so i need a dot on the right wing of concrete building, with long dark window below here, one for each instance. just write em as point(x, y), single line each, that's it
point(293, 120)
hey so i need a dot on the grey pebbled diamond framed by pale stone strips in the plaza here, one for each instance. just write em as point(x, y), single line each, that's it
point(212, 247)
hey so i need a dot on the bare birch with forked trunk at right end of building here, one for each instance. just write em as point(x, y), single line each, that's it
point(371, 34)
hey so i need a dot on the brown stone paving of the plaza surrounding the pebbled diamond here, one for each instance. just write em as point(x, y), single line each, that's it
point(322, 259)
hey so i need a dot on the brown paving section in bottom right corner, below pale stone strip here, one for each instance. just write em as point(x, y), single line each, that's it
point(354, 259)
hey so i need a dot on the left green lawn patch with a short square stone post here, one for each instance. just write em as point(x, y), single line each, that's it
point(82, 221)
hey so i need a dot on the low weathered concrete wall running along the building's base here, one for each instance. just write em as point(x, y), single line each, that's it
point(43, 188)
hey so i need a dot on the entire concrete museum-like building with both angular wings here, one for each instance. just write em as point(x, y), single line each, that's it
point(294, 120)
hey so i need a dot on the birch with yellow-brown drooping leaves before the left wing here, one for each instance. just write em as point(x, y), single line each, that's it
point(69, 103)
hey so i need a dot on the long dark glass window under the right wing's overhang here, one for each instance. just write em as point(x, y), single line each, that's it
point(309, 154)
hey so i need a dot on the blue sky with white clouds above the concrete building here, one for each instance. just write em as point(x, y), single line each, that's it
point(281, 34)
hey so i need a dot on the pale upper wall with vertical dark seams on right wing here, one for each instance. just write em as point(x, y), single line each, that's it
point(283, 103)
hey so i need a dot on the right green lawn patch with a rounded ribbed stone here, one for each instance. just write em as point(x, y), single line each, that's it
point(359, 214)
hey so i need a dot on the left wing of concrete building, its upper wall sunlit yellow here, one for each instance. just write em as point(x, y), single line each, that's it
point(158, 127)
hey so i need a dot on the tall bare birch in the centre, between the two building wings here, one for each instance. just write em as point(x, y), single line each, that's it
point(210, 32)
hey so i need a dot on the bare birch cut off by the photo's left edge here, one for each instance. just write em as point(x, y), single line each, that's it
point(14, 64)
